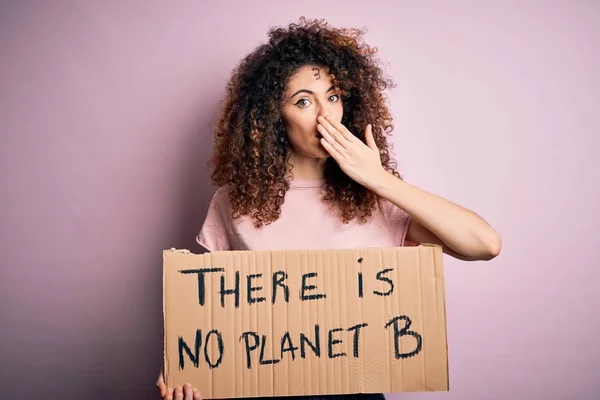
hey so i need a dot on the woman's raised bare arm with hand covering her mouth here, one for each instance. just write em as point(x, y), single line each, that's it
point(462, 233)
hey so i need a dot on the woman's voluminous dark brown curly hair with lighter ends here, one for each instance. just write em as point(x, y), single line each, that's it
point(251, 149)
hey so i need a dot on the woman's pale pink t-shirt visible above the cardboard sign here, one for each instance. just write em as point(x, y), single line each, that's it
point(305, 223)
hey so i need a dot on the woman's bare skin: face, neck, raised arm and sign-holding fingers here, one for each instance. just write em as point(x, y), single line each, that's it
point(312, 114)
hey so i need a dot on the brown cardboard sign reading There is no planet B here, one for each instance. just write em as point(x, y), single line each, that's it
point(288, 323)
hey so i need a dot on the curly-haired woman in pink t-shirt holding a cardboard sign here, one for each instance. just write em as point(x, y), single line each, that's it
point(302, 161)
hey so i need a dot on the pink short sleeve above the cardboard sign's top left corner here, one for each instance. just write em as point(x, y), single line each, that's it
point(214, 233)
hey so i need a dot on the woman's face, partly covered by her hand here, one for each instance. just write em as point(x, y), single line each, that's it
point(309, 94)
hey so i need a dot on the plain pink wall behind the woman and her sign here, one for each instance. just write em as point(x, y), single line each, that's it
point(104, 119)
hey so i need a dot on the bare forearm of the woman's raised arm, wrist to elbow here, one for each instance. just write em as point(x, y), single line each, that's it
point(460, 229)
